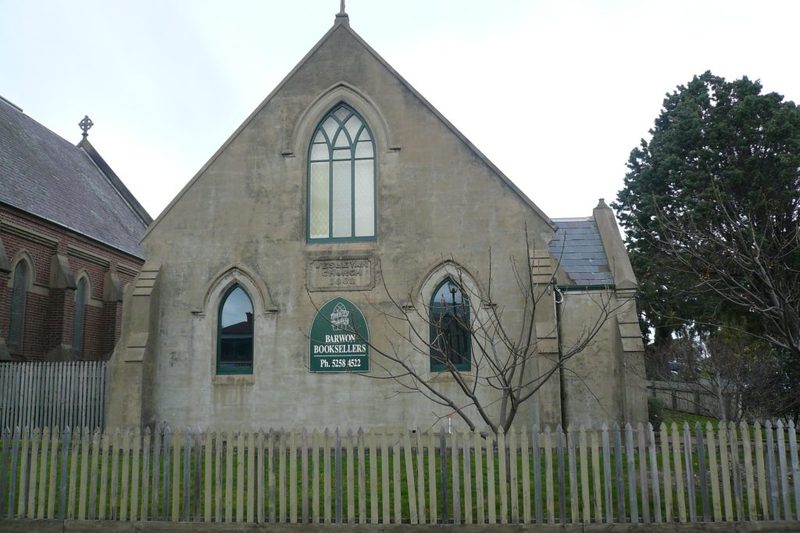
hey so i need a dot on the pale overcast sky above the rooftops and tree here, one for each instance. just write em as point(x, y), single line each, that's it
point(555, 93)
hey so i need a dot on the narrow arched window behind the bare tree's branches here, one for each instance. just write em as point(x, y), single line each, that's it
point(451, 340)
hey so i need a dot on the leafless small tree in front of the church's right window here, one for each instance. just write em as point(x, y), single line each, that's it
point(507, 368)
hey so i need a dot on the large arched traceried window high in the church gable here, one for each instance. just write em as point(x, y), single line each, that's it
point(341, 178)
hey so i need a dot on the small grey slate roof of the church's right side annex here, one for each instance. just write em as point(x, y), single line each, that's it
point(578, 245)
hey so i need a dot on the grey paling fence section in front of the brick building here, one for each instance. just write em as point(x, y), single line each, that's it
point(50, 394)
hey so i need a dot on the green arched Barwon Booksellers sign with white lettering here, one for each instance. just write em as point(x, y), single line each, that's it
point(339, 340)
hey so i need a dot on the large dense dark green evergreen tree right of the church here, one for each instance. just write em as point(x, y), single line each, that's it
point(711, 209)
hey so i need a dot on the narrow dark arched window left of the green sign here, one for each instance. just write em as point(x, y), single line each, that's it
point(235, 333)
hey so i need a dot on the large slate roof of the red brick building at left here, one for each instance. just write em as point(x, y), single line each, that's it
point(69, 185)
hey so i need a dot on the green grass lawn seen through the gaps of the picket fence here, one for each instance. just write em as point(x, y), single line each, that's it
point(192, 468)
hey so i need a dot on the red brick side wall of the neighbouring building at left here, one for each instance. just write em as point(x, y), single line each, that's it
point(50, 306)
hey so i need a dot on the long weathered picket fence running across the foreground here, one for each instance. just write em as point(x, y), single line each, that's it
point(677, 474)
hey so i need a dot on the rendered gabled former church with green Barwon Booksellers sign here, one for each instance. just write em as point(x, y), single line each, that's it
point(347, 233)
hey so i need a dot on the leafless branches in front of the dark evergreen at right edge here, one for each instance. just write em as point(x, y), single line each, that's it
point(749, 263)
